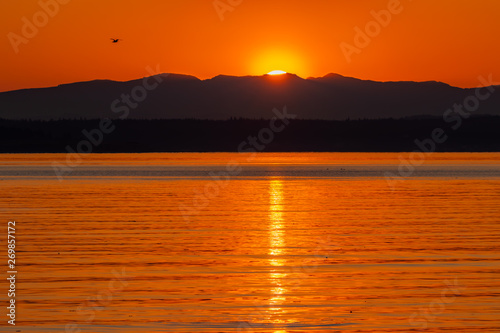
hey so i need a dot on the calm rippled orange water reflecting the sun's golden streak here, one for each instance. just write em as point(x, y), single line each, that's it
point(278, 243)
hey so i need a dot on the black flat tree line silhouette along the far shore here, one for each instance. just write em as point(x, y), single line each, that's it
point(478, 133)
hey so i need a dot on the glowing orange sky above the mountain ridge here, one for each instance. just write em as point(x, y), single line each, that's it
point(453, 41)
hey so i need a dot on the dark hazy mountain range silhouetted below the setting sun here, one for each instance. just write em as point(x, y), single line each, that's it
point(332, 97)
